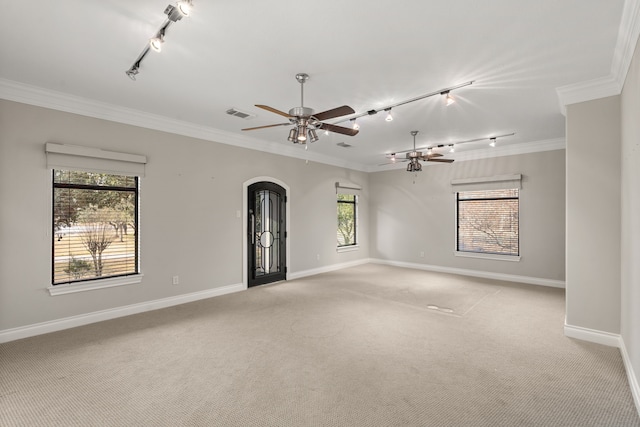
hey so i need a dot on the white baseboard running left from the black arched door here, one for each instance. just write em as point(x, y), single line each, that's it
point(98, 316)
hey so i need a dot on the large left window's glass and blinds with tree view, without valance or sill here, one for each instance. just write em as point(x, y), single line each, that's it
point(95, 226)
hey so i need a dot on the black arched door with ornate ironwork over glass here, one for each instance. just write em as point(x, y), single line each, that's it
point(267, 233)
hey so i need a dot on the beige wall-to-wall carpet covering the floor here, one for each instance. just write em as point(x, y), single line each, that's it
point(367, 346)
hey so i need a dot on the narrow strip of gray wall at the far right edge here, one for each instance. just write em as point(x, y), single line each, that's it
point(630, 224)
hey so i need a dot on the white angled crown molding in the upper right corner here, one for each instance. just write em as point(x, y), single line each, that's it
point(610, 85)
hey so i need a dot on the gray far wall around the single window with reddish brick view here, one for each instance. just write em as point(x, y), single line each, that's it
point(408, 218)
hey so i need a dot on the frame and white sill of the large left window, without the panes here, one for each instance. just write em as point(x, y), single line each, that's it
point(93, 283)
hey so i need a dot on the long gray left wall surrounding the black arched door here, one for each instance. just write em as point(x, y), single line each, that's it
point(189, 199)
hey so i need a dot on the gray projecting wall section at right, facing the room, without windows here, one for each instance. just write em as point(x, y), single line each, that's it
point(593, 215)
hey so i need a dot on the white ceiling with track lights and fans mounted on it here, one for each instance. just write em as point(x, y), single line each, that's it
point(367, 54)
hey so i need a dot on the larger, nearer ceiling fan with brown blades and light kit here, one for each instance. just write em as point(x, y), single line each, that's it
point(306, 121)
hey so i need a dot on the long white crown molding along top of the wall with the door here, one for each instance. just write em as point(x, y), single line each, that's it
point(33, 95)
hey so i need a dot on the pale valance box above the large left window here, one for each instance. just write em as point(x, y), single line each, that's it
point(89, 159)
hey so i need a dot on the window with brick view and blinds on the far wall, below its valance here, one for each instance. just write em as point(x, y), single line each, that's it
point(488, 221)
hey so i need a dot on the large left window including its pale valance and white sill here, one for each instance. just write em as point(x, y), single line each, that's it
point(94, 217)
